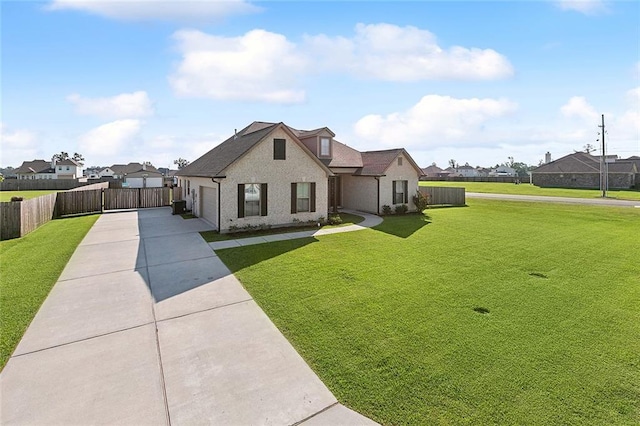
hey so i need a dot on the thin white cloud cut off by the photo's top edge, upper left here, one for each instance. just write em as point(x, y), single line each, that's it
point(144, 10)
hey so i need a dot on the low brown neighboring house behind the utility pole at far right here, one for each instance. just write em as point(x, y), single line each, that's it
point(582, 170)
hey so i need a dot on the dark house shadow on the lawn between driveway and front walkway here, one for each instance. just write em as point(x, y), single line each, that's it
point(238, 258)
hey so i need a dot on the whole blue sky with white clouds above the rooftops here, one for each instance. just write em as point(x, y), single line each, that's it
point(473, 81)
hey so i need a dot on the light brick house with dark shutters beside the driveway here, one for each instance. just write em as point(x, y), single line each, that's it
point(273, 174)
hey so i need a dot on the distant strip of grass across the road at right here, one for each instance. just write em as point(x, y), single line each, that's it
point(528, 189)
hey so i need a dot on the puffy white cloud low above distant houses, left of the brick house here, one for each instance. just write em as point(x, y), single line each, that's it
point(109, 141)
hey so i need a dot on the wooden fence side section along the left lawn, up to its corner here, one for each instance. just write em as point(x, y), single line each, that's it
point(18, 218)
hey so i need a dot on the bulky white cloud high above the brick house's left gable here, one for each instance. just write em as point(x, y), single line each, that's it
point(258, 66)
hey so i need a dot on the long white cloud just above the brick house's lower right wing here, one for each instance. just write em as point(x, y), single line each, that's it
point(435, 121)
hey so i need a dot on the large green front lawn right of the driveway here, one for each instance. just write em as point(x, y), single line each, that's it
point(390, 318)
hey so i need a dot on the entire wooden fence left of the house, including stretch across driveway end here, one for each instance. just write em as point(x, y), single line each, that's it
point(18, 218)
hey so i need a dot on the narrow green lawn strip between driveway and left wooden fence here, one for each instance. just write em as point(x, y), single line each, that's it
point(29, 267)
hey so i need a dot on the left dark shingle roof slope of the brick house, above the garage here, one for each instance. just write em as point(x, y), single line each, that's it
point(214, 162)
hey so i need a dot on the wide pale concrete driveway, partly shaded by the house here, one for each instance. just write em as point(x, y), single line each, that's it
point(147, 326)
